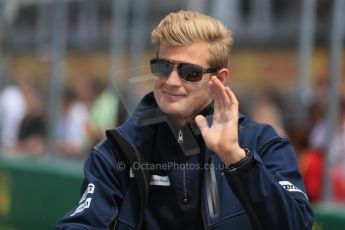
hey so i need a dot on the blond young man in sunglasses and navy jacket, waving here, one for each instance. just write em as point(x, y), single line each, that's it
point(186, 158)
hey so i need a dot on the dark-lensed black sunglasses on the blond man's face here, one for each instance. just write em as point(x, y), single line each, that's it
point(187, 71)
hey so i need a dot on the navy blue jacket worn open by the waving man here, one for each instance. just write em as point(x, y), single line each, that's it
point(264, 192)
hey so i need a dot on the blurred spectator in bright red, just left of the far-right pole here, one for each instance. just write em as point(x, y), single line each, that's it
point(310, 141)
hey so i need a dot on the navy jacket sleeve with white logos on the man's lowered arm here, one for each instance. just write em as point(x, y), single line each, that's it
point(101, 192)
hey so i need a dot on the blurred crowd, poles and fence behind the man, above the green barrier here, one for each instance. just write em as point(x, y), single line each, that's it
point(70, 69)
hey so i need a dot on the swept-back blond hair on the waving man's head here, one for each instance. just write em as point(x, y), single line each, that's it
point(186, 27)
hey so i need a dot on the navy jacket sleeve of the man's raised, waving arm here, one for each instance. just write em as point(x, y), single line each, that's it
point(270, 185)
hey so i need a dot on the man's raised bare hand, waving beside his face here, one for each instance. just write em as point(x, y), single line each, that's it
point(222, 136)
